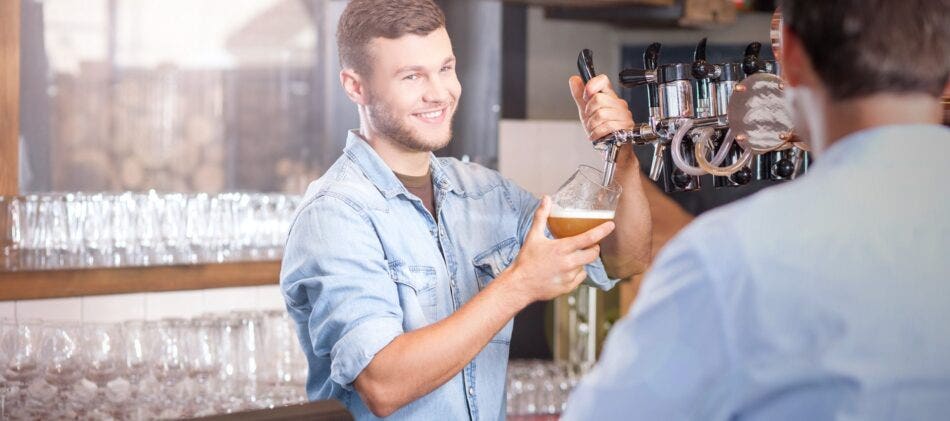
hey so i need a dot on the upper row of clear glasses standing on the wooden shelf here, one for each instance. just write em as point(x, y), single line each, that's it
point(73, 230)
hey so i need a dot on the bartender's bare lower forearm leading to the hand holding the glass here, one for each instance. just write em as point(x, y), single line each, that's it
point(417, 362)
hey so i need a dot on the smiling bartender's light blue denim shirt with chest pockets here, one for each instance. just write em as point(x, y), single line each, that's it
point(363, 265)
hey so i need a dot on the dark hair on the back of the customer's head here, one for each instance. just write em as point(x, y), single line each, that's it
point(864, 47)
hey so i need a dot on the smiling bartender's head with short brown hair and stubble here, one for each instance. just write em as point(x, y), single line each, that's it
point(399, 68)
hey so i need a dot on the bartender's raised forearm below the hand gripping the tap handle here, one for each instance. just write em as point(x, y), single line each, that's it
point(626, 252)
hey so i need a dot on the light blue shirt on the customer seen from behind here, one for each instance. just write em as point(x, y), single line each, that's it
point(825, 298)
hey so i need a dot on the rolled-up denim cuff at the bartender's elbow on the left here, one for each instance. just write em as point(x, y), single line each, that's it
point(353, 352)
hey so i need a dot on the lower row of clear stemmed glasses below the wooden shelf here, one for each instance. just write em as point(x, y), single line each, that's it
point(170, 368)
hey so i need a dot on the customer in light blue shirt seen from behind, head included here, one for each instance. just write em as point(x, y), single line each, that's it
point(828, 297)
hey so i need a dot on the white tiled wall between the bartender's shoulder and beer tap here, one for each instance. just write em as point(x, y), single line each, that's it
point(552, 150)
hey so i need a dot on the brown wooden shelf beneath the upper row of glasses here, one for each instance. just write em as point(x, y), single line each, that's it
point(29, 285)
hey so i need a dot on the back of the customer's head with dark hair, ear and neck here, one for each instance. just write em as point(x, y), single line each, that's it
point(851, 65)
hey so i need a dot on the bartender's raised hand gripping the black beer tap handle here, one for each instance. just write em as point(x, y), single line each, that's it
point(599, 107)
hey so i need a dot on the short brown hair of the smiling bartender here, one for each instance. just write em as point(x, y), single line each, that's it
point(364, 20)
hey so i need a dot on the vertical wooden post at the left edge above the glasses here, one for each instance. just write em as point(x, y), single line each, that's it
point(9, 95)
